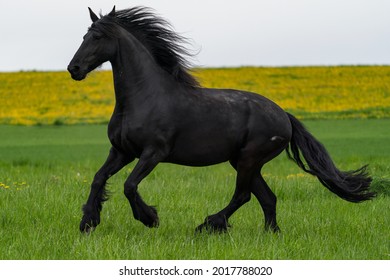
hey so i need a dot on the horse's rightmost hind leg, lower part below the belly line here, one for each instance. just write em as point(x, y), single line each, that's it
point(267, 201)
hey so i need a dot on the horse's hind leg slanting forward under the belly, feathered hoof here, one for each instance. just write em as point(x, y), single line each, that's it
point(219, 221)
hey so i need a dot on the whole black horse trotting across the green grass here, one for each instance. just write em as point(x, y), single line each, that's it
point(162, 114)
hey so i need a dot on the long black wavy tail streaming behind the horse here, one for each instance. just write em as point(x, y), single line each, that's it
point(349, 185)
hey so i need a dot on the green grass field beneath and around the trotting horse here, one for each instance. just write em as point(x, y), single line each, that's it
point(45, 172)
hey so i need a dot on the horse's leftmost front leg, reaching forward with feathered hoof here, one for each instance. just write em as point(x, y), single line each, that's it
point(115, 162)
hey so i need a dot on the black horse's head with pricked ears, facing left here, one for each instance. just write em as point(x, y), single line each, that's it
point(96, 49)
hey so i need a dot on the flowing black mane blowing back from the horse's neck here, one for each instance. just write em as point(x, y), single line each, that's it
point(157, 35)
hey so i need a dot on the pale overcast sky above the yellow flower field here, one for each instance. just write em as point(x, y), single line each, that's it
point(44, 34)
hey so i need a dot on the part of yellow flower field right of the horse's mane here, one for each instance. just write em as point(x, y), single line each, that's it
point(314, 92)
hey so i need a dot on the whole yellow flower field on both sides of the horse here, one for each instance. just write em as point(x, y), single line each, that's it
point(33, 98)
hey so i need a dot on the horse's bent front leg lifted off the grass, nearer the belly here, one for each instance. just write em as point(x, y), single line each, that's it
point(141, 211)
